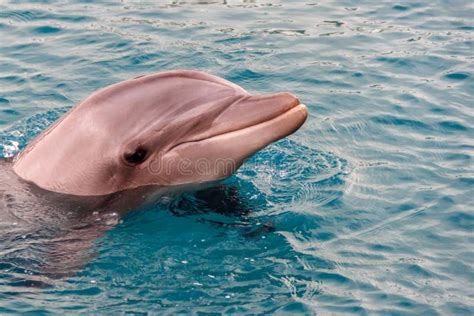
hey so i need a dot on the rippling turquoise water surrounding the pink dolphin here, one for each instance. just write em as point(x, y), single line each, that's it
point(368, 209)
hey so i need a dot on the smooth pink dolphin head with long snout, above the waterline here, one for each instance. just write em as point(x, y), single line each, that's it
point(163, 129)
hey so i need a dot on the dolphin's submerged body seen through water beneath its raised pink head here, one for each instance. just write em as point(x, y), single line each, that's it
point(46, 237)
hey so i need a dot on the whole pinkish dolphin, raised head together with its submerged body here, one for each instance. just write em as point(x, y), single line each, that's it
point(117, 149)
